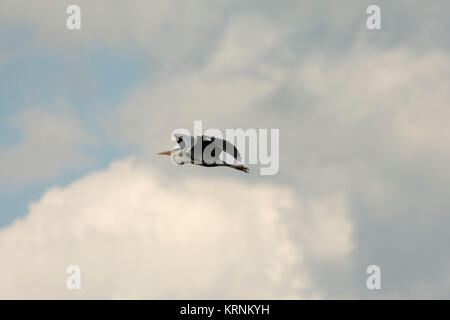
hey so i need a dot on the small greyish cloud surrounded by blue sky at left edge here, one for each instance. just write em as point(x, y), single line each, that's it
point(50, 144)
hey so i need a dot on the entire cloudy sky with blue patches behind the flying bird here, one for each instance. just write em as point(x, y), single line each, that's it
point(364, 149)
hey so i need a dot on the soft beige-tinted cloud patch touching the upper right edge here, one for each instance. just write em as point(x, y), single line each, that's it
point(411, 87)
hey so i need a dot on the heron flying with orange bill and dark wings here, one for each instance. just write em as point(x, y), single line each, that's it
point(203, 151)
